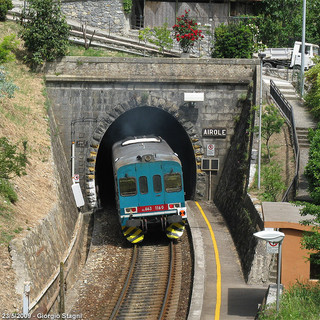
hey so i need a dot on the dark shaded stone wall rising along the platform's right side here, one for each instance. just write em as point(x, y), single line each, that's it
point(231, 190)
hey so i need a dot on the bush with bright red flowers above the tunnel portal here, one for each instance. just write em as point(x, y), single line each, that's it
point(186, 32)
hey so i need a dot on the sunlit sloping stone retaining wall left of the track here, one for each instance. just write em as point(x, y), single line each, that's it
point(37, 257)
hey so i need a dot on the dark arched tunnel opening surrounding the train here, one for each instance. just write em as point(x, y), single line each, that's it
point(144, 121)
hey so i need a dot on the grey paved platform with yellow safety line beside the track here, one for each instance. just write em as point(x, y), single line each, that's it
point(239, 300)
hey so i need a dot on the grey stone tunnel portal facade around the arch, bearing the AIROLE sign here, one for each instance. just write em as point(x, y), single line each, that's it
point(101, 89)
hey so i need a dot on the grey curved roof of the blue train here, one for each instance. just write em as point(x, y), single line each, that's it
point(127, 151)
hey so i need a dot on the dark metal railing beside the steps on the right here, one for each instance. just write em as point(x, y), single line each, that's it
point(286, 110)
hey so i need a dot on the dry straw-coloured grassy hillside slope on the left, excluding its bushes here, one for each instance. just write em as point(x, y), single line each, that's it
point(24, 118)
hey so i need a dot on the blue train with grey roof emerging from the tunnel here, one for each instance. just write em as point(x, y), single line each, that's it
point(148, 187)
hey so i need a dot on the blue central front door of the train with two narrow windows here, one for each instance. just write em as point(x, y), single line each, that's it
point(150, 183)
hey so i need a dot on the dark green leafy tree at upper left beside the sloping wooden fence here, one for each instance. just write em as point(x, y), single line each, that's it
point(46, 31)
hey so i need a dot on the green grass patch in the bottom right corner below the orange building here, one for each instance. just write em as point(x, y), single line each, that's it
point(300, 302)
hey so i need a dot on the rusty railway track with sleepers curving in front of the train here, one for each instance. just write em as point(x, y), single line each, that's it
point(152, 287)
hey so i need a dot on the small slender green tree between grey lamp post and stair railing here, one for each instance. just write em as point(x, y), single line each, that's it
point(272, 122)
